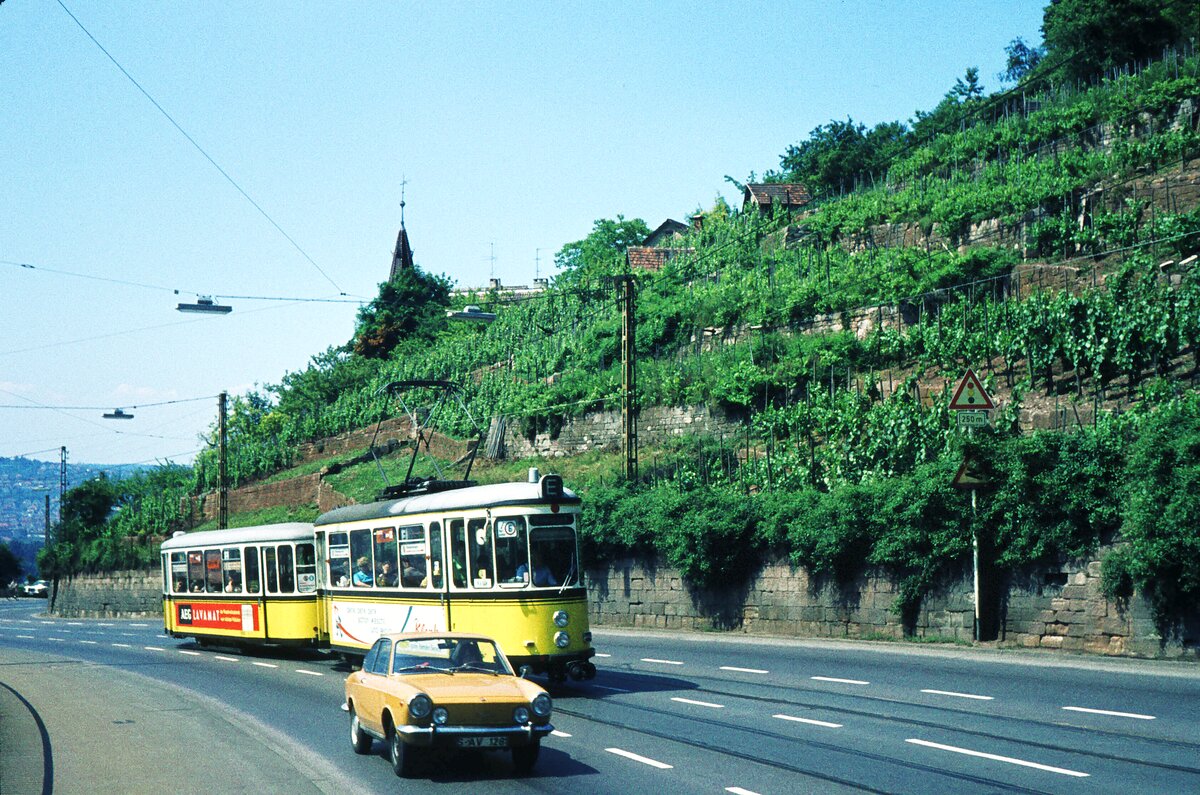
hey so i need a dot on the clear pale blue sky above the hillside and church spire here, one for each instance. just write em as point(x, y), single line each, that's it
point(513, 127)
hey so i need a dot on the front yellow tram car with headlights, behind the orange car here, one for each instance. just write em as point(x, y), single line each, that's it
point(501, 560)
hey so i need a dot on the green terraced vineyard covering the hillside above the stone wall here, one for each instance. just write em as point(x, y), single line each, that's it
point(1042, 262)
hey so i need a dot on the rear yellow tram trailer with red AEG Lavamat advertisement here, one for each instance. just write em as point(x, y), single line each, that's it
point(244, 587)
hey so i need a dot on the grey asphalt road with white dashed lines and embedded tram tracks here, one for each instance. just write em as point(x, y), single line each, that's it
point(115, 707)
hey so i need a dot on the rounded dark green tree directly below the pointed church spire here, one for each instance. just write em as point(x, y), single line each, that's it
point(412, 306)
